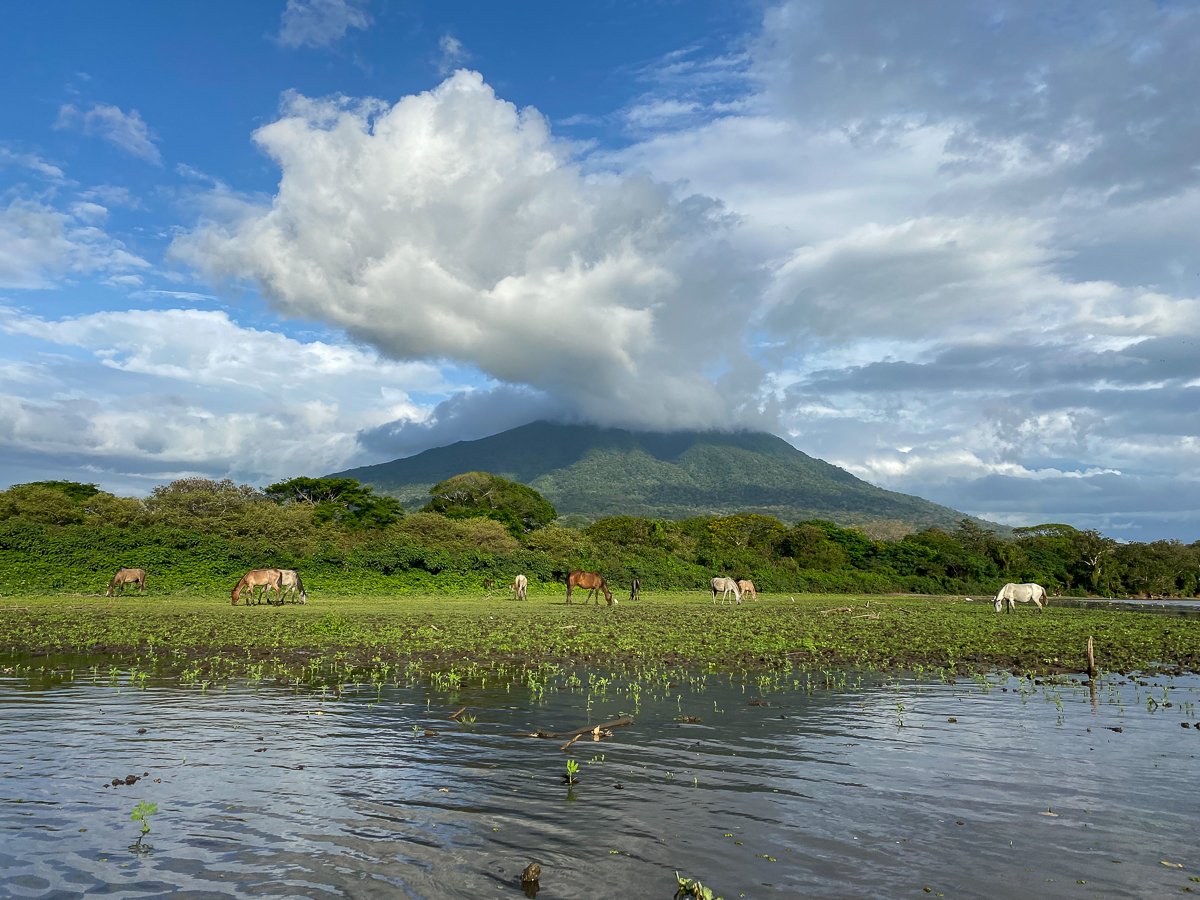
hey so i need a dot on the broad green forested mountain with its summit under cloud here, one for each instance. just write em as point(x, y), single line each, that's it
point(592, 473)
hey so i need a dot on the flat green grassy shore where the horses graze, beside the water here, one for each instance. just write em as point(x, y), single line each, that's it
point(173, 634)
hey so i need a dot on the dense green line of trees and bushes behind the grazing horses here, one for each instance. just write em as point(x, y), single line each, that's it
point(199, 535)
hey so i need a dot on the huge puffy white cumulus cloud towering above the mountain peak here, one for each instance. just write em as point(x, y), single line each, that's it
point(465, 232)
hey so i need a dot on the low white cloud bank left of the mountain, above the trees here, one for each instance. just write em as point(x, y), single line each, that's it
point(187, 391)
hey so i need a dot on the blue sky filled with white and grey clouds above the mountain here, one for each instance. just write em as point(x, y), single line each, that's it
point(949, 247)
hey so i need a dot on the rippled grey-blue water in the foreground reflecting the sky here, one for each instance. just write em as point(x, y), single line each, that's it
point(857, 789)
